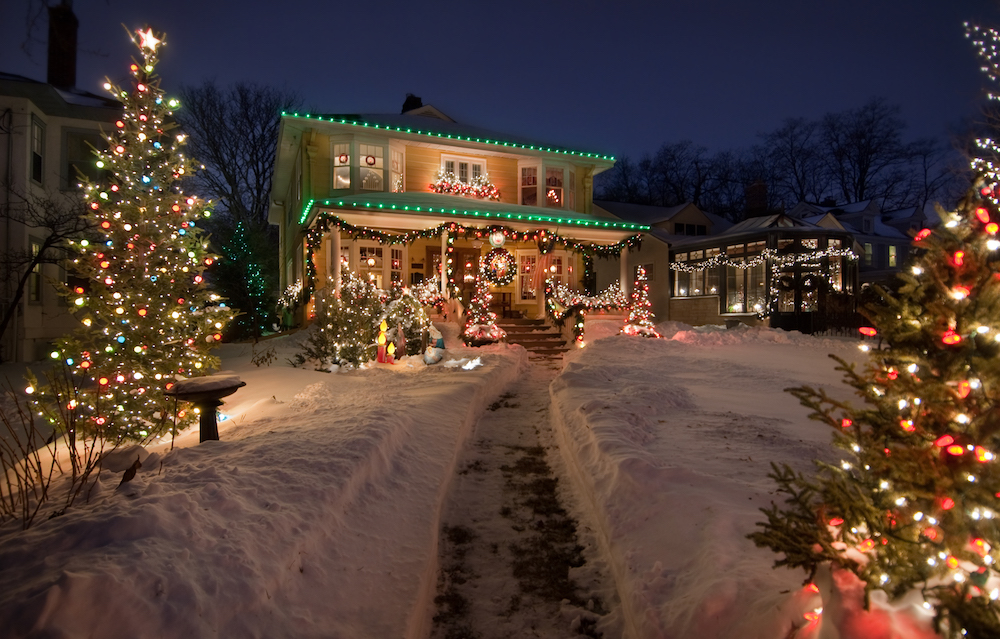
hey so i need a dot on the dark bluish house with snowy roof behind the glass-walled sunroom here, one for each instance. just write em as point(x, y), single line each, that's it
point(883, 239)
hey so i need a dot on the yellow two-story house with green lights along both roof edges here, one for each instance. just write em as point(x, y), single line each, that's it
point(371, 192)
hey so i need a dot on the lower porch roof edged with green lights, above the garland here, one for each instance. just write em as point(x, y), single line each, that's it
point(436, 205)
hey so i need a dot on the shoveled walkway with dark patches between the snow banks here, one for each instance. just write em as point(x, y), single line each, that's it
point(514, 561)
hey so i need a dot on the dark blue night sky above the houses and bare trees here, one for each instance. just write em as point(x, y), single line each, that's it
point(615, 77)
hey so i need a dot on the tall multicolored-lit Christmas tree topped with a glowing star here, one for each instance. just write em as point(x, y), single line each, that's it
point(147, 316)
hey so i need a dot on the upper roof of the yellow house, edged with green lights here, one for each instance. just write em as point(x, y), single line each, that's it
point(429, 124)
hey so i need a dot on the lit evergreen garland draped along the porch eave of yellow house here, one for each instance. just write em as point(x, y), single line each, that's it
point(326, 221)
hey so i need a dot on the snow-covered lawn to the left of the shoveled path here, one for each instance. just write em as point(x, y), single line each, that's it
point(315, 516)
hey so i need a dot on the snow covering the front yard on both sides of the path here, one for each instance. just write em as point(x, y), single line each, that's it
point(318, 513)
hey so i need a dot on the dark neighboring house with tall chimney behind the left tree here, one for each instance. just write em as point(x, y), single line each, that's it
point(47, 132)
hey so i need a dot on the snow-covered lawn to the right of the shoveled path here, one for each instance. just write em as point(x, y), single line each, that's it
point(670, 441)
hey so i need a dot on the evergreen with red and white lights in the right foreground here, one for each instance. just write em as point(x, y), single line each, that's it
point(914, 503)
